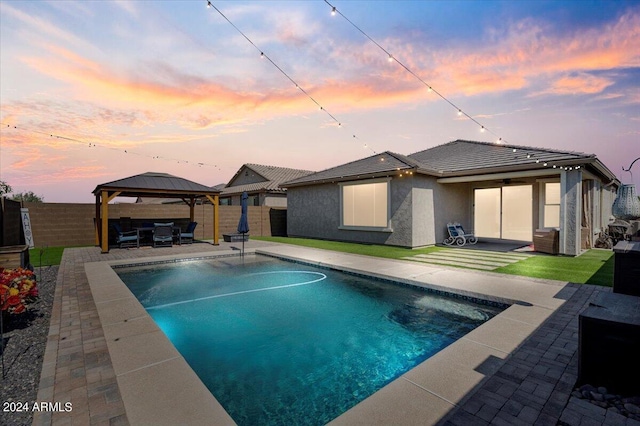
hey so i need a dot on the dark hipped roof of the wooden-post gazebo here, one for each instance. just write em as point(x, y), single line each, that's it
point(156, 184)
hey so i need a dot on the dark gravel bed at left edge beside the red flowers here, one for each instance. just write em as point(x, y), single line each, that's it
point(25, 340)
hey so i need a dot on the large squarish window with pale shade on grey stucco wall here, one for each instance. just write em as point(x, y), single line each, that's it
point(365, 204)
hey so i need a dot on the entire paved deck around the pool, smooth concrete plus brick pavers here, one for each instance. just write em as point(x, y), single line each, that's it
point(106, 357)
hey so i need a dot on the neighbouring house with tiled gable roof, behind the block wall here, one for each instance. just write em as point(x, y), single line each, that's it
point(261, 183)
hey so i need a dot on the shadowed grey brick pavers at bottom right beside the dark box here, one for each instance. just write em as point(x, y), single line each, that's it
point(534, 385)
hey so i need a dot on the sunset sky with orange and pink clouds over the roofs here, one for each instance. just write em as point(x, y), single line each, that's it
point(127, 87)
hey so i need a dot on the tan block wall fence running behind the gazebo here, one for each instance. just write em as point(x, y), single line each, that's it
point(65, 224)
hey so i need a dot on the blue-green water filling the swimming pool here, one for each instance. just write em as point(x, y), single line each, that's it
point(281, 343)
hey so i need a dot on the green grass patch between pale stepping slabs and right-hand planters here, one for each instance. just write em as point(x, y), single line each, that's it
point(593, 267)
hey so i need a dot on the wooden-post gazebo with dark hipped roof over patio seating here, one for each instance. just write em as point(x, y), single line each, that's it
point(151, 184)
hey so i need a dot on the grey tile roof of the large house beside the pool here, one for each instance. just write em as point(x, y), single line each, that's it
point(456, 158)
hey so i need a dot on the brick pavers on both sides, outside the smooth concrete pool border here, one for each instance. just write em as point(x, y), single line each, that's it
point(531, 386)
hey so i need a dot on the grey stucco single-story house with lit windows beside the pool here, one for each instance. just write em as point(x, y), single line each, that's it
point(500, 192)
